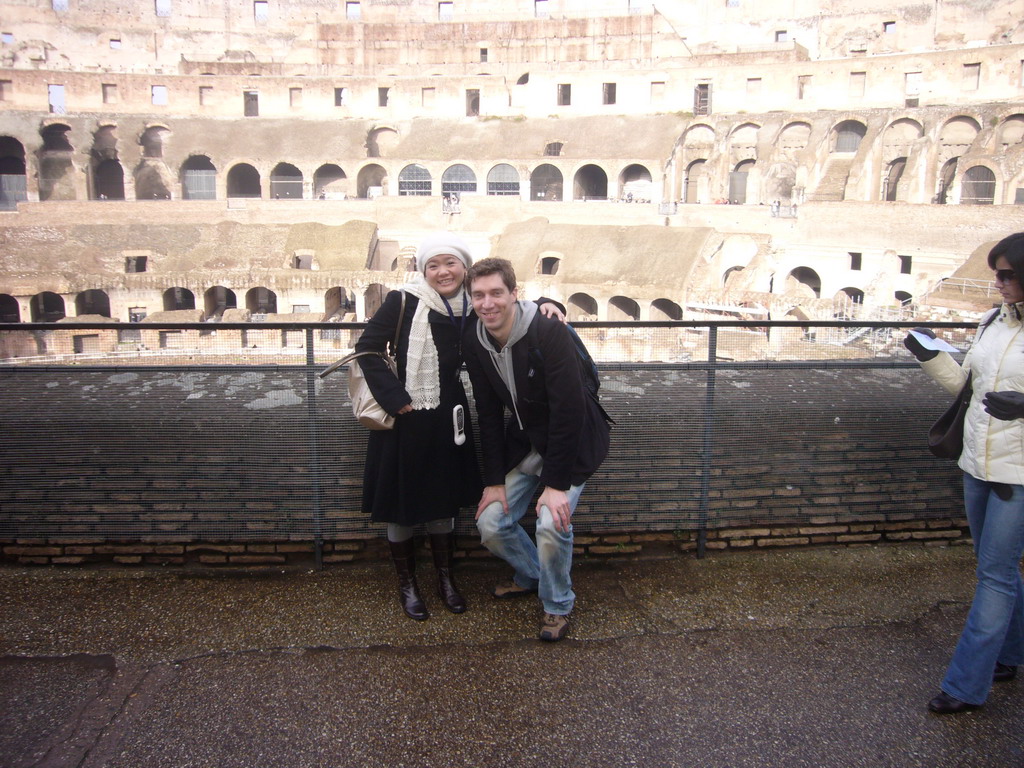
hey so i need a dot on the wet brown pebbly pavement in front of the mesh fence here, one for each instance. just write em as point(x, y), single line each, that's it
point(804, 658)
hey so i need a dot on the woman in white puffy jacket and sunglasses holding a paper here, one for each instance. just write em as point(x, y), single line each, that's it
point(992, 645)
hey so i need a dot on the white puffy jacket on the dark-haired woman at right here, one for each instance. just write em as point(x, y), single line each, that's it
point(994, 449)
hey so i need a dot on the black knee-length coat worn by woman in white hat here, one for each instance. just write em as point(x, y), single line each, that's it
point(415, 473)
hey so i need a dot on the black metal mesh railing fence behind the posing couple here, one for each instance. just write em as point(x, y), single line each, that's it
point(225, 432)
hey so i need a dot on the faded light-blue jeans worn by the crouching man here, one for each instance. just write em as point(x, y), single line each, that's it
point(545, 566)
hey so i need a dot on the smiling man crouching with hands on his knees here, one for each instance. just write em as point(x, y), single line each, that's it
point(557, 437)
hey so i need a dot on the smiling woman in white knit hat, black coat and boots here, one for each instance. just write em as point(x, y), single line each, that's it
point(423, 471)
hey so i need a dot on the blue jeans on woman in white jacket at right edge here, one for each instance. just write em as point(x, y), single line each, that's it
point(995, 629)
